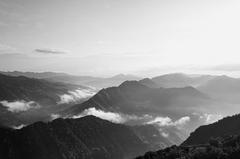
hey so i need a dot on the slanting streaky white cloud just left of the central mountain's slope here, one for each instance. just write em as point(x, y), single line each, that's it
point(74, 96)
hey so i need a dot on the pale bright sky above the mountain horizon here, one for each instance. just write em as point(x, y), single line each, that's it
point(108, 37)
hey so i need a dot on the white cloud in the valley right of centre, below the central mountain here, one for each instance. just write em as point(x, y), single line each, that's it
point(166, 121)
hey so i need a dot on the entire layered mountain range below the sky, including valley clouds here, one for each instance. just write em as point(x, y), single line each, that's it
point(157, 112)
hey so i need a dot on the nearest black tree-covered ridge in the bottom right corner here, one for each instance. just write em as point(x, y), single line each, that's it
point(219, 148)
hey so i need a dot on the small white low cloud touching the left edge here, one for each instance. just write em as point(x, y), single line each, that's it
point(19, 106)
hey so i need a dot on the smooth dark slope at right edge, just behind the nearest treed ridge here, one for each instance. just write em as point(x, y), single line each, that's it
point(225, 127)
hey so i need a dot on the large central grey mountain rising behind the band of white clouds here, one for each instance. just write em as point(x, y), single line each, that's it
point(132, 97)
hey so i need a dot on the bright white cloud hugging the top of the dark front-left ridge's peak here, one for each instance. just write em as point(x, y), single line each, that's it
point(110, 116)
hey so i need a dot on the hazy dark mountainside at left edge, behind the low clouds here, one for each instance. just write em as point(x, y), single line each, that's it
point(30, 89)
